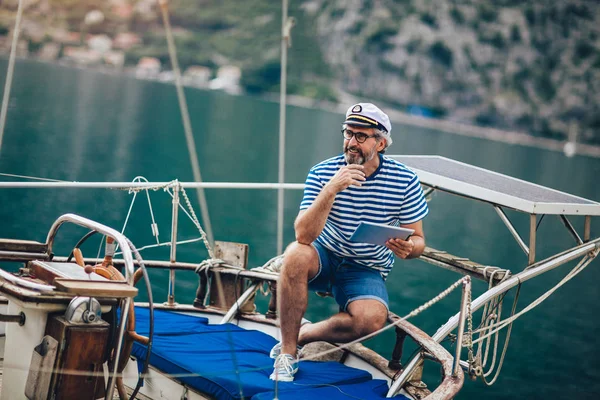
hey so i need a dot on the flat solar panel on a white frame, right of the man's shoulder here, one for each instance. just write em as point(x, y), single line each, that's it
point(478, 183)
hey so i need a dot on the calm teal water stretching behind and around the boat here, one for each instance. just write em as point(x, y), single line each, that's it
point(73, 124)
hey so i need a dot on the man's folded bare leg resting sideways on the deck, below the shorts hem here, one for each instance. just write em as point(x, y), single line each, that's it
point(363, 317)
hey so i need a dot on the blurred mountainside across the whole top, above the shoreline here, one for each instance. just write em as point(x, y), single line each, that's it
point(530, 66)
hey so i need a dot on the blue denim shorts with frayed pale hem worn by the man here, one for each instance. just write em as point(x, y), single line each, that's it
point(347, 280)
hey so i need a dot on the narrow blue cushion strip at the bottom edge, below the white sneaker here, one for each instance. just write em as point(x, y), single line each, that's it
point(371, 390)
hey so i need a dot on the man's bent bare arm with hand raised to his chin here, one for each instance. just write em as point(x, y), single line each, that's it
point(310, 222)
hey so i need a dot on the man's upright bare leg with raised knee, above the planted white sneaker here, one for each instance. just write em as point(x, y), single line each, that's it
point(300, 264)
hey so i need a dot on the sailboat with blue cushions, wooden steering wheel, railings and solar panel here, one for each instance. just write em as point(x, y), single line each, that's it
point(74, 330)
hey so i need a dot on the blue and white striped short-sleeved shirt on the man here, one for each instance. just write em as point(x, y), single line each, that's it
point(392, 195)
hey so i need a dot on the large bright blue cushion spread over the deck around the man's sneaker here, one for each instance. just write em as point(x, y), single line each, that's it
point(228, 362)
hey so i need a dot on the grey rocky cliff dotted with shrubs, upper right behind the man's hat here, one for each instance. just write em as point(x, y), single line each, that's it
point(532, 66)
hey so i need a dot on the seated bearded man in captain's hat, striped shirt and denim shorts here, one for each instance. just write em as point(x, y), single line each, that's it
point(359, 185)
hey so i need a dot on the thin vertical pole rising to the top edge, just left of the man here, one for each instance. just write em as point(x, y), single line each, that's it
point(282, 102)
